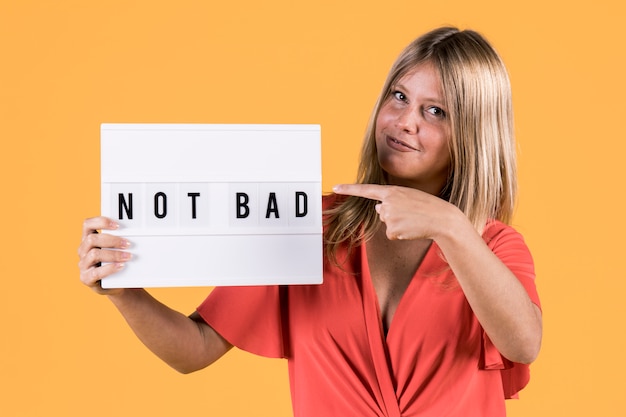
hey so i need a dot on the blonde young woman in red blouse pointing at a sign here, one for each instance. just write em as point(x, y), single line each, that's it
point(428, 306)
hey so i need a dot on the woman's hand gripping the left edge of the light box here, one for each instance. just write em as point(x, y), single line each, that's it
point(101, 254)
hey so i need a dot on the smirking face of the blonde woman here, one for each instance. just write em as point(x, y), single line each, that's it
point(413, 132)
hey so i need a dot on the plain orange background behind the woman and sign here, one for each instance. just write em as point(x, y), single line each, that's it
point(67, 66)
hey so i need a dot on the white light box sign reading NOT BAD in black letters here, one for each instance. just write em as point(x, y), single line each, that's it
point(210, 205)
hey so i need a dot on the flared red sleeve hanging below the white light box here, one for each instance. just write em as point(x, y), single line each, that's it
point(249, 318)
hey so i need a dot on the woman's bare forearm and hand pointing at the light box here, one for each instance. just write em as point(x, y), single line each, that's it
point(501, 304)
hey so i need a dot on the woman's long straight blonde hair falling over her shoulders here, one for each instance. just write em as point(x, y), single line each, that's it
point(482, 177)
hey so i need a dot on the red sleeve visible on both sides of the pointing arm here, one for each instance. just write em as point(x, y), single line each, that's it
point(510, 248)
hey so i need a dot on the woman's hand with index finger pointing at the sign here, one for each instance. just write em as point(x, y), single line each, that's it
point(408, 213)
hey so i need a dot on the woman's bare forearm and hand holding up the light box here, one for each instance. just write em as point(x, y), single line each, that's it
point(185, 343)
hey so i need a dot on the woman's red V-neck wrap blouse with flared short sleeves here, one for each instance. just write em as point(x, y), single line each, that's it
point(435, 360)
